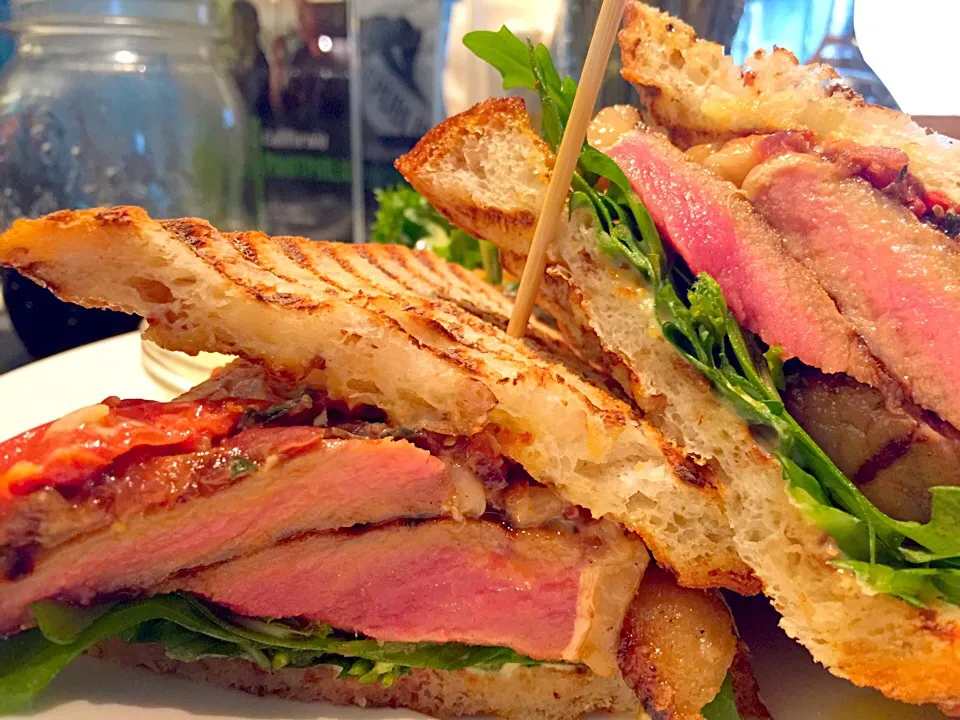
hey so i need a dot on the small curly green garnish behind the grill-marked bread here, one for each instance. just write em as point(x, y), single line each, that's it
point(406, 218)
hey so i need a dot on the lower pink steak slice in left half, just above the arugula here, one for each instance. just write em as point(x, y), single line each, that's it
point(549, 595)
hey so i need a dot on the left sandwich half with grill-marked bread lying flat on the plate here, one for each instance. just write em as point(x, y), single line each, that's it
point(387, 501)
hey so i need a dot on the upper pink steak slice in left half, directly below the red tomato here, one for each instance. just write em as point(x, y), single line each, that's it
point(177, 512)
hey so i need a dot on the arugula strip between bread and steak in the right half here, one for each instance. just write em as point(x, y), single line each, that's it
point(916, 562)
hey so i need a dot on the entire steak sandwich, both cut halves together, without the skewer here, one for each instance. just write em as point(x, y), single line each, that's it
point(387, 501)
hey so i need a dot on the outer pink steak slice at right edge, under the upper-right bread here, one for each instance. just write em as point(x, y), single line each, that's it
point(895, 279)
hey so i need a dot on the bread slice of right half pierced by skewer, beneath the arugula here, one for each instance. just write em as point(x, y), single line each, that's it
point(487, 171)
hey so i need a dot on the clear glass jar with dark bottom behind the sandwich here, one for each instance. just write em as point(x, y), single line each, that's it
point(113, 102)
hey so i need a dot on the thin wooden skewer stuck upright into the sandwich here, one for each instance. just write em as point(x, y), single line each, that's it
point(593, 69)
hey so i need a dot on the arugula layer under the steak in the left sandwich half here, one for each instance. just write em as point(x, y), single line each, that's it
point(190, 629)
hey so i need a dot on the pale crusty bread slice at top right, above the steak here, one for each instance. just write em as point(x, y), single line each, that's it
point(697, 93)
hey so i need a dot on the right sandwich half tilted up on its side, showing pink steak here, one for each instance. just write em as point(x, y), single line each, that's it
point(767, 266)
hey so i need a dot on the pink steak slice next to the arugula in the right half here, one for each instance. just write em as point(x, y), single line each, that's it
point(716, 231)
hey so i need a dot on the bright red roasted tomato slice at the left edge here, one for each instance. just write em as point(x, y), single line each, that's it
point(66, 452)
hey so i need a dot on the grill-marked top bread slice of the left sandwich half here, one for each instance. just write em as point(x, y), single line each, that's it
point(401, 330)
